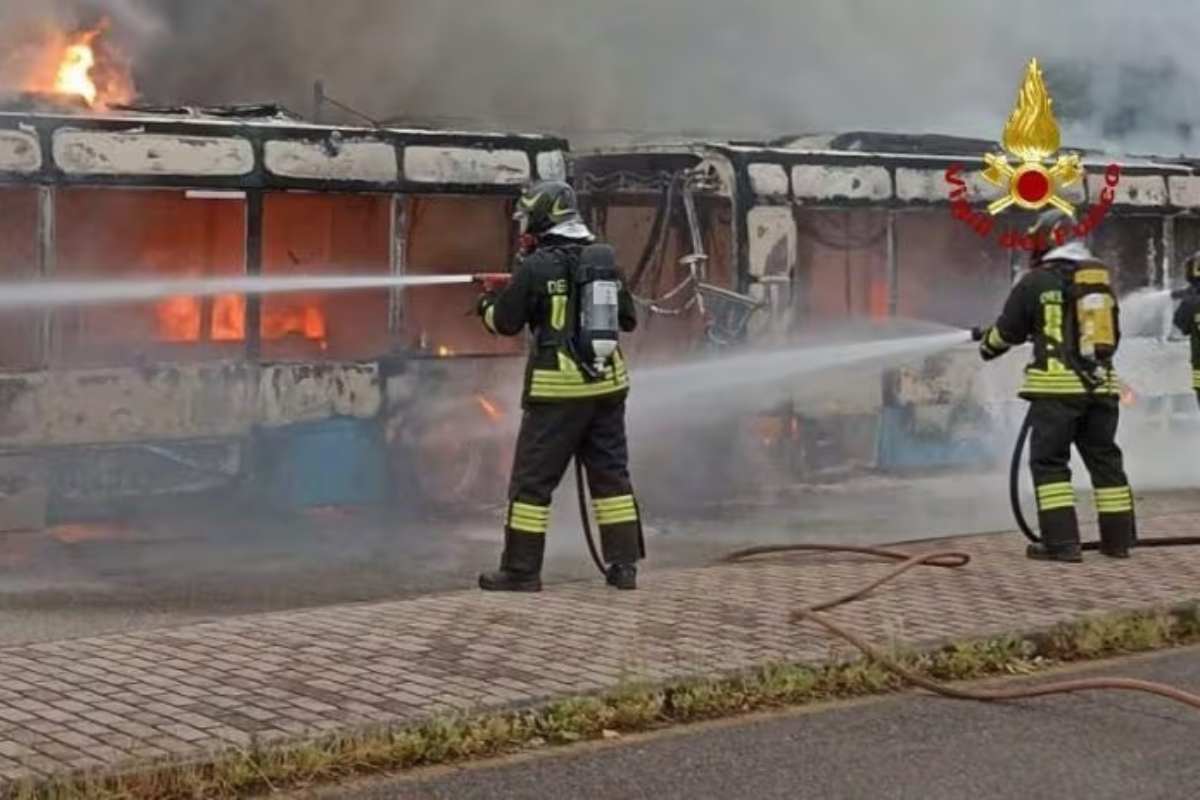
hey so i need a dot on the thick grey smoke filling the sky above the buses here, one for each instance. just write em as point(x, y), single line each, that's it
point(1124, 75)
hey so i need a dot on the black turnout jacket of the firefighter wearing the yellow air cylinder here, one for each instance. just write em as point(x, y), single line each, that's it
point(1036, 311)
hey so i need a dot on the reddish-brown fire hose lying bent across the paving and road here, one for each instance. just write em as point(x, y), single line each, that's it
point(947, 560)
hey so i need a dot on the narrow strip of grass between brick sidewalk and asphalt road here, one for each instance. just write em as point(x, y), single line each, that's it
point(629, 709)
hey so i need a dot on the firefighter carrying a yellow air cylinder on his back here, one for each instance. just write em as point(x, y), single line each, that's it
point(1066, 306)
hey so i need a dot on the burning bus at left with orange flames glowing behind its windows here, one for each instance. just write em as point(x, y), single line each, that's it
point(305, 399)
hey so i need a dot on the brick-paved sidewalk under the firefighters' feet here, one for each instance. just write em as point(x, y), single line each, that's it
point(107, 701)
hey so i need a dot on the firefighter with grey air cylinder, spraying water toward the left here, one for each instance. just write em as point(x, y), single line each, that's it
point(567, 290)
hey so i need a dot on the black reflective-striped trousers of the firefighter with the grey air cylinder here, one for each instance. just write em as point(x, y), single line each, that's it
point(593, 430)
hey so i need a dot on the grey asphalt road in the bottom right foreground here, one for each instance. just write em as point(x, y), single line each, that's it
point(1101, 747)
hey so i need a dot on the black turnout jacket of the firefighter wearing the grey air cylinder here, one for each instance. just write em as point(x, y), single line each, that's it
point(541, 298)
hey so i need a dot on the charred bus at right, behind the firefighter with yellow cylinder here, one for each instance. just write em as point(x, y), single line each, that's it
point(814, 232)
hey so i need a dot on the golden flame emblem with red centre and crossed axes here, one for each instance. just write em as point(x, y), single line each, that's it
point(1033, 137)
